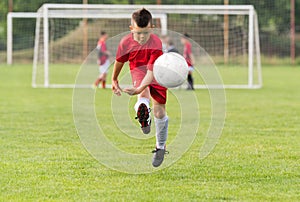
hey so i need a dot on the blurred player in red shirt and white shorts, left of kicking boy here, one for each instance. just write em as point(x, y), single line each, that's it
point(103, 59)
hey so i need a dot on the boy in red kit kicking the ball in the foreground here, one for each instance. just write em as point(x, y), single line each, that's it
point(141, 48)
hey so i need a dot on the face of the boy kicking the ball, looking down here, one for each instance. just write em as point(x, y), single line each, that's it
point(141, 35)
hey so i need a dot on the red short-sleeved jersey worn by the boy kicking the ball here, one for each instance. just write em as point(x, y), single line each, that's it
point(139, 56)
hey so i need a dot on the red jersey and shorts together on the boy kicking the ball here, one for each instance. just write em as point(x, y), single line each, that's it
point(141, 58)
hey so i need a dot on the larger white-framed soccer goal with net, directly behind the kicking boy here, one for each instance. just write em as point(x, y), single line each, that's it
point(67, 33)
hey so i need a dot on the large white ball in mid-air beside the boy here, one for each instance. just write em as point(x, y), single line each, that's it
point(170, 70)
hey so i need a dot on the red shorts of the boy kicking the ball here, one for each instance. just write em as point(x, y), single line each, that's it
point(157, 92)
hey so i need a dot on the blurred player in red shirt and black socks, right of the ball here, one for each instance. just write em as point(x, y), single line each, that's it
point(189, 57)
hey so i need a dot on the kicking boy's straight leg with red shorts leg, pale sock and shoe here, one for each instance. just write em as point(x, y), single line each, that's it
point(161, 124)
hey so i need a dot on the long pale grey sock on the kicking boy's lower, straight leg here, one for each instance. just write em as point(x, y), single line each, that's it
point(161, 131)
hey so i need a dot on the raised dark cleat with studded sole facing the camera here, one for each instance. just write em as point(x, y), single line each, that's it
point(143, 115)
